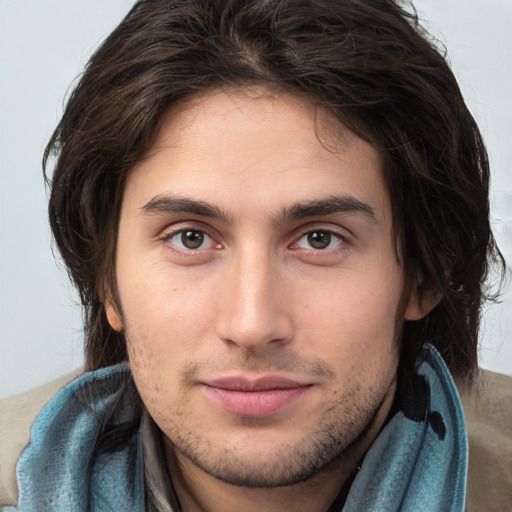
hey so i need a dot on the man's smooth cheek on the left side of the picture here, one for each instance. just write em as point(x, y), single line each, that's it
point(166, 319)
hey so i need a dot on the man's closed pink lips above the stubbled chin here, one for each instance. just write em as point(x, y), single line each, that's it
point(254, 398)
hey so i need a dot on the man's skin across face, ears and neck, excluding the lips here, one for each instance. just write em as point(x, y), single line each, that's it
point(270, 288)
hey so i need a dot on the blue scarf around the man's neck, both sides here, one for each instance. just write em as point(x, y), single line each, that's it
point(85, 452)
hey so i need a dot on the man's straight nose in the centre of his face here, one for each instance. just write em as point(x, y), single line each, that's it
point(254, 308)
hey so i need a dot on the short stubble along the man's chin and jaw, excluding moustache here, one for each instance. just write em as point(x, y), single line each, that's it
point(334, 442)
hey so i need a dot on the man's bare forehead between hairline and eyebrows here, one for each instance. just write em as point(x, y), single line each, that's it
point(256, 150)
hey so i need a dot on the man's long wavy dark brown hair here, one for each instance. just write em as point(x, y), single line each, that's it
point(368, 61)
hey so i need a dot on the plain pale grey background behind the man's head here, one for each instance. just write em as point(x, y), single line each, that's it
point(44, 45)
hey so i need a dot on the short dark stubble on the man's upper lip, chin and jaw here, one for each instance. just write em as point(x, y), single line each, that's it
point(332, 441)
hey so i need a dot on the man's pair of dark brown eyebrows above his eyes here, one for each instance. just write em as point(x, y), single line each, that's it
point(313, 208)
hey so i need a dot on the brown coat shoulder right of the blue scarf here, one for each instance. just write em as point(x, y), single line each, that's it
point(488, 411)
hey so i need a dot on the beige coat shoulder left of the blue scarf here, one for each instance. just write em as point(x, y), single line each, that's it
point(16, 417)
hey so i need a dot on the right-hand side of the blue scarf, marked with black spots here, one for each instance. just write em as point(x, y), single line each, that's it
point(418, 463)
